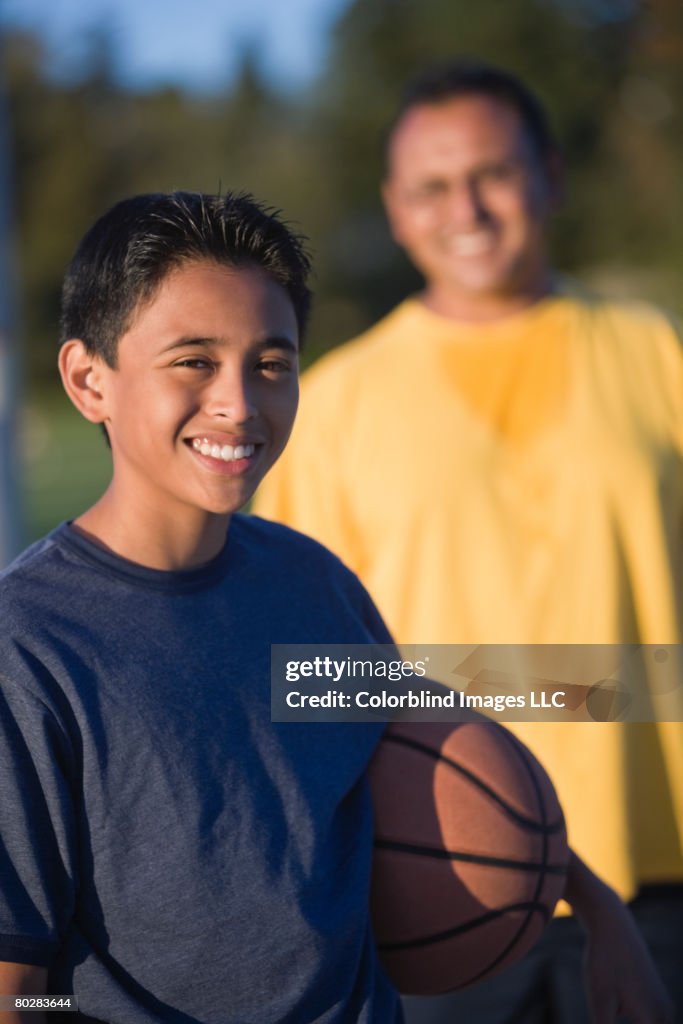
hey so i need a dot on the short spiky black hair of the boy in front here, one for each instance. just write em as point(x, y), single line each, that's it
point(125, 257)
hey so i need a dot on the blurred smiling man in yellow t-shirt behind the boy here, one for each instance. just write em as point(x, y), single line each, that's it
point(500, 461)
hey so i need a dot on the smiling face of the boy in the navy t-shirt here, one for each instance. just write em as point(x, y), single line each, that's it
point(205, 392)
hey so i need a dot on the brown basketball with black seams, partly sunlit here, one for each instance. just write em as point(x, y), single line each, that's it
point(471, 854)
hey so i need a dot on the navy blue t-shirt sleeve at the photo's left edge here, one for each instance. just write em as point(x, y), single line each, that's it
point(37, 828)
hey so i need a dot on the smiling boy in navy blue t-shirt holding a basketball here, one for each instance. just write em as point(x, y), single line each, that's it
point(167, 854)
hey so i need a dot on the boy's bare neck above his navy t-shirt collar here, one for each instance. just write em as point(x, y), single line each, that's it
point(169, 546)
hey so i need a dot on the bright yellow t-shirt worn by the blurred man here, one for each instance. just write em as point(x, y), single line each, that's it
point(520, 482)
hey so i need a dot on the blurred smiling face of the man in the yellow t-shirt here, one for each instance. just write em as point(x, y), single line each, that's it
point(468, 198)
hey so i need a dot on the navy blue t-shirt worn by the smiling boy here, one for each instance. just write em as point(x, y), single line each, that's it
point(167, 851)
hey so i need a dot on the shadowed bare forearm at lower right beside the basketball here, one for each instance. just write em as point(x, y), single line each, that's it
point(621, 978)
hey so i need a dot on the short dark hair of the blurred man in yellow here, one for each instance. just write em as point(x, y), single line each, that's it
point(465, 77)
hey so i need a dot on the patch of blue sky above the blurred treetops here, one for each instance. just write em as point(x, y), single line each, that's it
point(192, 44)
